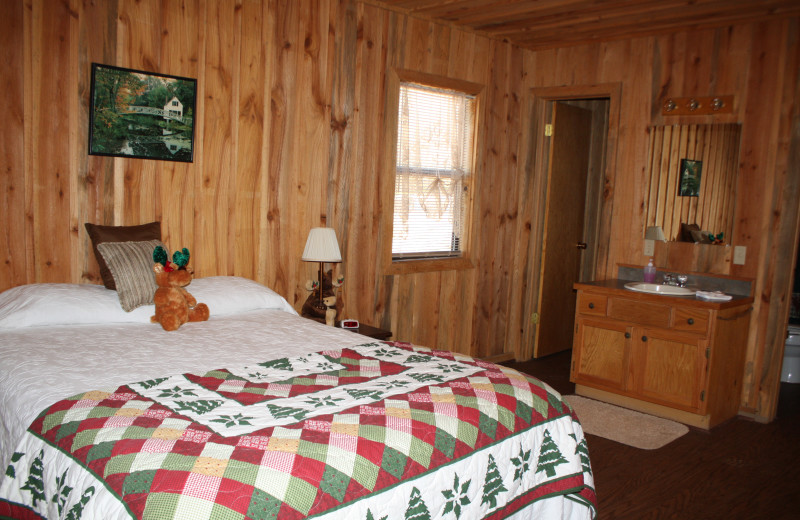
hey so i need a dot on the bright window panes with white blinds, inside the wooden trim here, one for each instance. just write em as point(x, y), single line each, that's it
point(433, 171)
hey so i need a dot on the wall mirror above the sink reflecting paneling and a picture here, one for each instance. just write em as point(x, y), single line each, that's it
point(706, 197)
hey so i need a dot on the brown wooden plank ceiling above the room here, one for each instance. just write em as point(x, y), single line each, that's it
point(541, 24)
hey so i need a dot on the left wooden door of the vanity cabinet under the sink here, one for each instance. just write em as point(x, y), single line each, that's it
point(600, 356)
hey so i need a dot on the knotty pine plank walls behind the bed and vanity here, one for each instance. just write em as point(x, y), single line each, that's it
point(290, 111)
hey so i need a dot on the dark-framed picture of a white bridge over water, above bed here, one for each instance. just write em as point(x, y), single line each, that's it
point(141, 114)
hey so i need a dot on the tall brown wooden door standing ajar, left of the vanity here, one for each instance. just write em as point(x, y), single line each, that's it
point(563, 227)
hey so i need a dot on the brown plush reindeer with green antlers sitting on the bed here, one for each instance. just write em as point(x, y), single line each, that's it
point(174, 304)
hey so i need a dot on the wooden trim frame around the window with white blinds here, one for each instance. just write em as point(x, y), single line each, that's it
point(388, 168)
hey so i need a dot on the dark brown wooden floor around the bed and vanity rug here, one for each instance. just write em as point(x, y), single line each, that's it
point(739, 470)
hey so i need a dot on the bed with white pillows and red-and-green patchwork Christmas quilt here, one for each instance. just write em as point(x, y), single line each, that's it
point(259, 413)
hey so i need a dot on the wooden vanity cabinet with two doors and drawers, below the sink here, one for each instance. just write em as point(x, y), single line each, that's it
point(677, 357)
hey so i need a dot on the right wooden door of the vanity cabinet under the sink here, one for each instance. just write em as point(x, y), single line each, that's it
point(669, 369)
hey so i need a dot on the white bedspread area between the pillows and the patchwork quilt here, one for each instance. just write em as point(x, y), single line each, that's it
point(68, 363)
